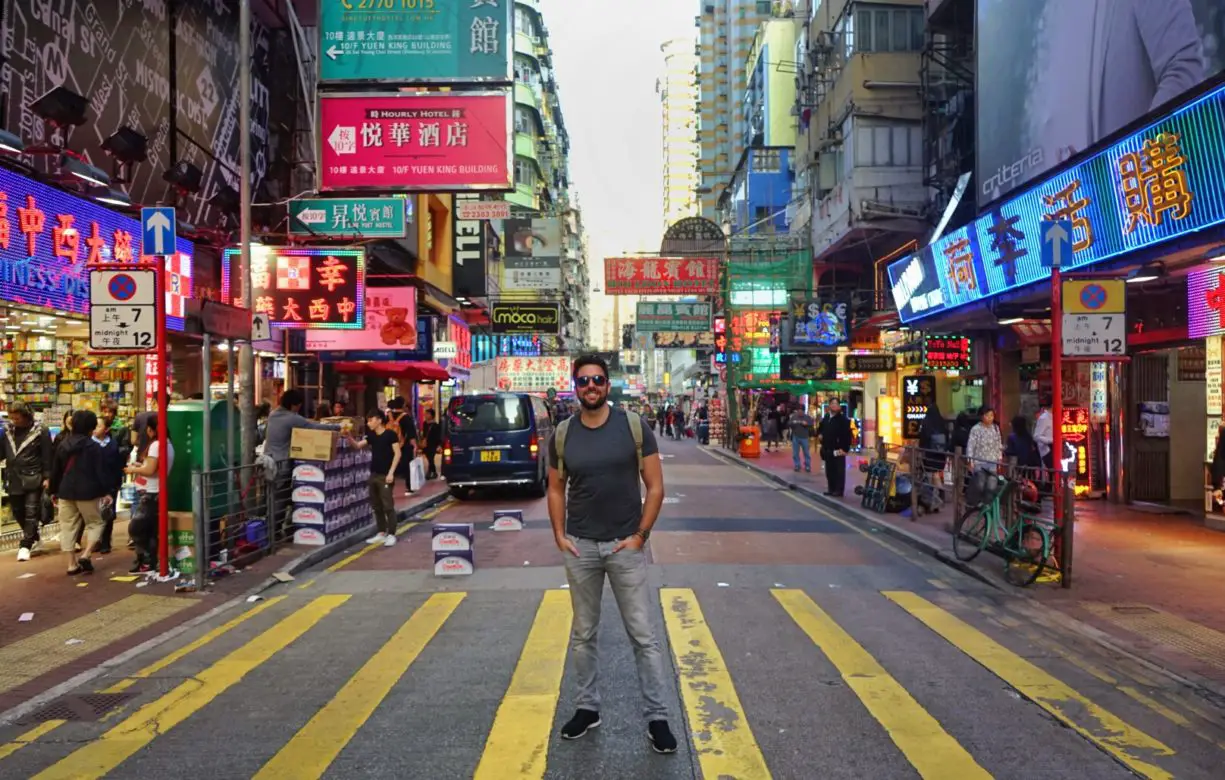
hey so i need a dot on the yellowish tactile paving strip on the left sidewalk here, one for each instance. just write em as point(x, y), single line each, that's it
point(48, 651)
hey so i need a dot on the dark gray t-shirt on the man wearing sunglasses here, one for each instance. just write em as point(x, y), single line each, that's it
point(606, 495)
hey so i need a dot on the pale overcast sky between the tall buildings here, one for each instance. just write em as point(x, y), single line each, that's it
point(607, 61)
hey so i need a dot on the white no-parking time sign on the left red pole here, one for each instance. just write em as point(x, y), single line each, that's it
point(123, 310)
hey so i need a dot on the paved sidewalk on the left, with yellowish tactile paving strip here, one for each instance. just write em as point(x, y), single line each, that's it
point(55, 628)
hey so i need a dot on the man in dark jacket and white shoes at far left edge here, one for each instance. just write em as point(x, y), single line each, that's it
point(28, 455)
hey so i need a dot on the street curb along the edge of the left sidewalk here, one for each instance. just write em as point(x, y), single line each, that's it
point(298, 565)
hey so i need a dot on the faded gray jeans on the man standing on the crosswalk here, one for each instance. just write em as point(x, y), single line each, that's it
point(628, 575)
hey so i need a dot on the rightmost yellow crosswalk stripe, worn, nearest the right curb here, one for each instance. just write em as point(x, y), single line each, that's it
point(1104, 729)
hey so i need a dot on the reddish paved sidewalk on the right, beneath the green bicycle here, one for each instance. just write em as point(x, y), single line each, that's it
point(1150, 582)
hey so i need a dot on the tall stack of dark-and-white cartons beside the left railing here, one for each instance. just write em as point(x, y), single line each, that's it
point(331, 498)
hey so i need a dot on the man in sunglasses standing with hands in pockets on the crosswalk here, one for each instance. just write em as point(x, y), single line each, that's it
point(601, 531)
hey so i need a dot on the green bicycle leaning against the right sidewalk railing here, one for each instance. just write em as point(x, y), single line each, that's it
point(1027, 547)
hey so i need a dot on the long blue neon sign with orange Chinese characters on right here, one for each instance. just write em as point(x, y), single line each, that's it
point(1161, 183)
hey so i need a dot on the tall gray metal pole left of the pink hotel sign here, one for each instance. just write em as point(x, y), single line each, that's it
point(247, 363)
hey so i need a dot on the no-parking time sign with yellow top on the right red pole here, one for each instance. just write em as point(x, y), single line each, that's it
point(1095, 318)
